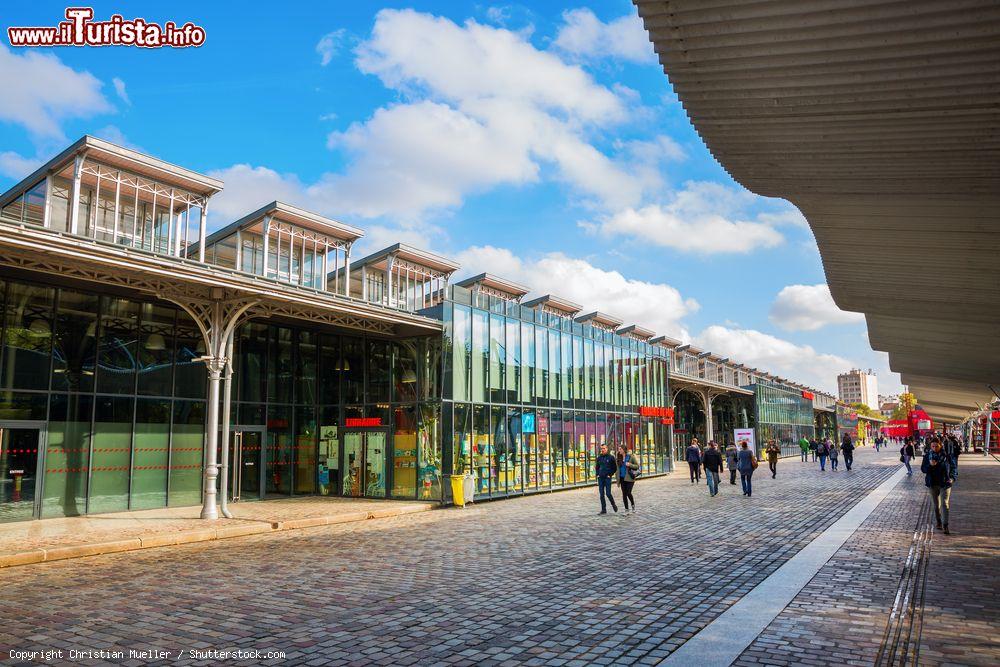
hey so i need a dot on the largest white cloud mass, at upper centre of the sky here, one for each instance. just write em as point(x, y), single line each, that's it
point(481, 107)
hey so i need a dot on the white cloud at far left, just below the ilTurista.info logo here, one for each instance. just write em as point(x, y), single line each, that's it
point(39, 91)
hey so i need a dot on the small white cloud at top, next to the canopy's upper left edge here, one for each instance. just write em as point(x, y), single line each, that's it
point(585, 36)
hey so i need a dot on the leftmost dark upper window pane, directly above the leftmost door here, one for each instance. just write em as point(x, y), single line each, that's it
point(27, 337)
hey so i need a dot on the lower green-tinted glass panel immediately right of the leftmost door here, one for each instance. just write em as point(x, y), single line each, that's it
point(67, 455)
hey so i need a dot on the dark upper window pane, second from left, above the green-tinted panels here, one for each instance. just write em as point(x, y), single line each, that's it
point(75, 339)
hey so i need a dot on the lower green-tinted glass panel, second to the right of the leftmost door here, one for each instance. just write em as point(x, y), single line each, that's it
point(112, 454)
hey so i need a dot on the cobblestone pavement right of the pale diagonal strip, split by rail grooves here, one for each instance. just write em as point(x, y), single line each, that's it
point(840, 617)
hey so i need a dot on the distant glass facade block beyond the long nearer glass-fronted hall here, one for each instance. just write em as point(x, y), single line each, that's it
point(783, 414)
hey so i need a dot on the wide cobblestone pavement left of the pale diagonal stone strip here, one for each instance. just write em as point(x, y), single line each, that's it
point(538, 580)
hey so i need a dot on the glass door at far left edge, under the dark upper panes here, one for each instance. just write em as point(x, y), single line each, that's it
point(19, 447)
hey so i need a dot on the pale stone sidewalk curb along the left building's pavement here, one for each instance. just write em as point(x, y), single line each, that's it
point(153, 541)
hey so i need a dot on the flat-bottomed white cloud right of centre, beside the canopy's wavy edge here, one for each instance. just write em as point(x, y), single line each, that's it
point(703, 218)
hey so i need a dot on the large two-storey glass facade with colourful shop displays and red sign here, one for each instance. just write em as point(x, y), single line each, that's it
point(530, 396)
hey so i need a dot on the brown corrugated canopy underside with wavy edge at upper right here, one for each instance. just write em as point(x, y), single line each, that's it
point(879, 120)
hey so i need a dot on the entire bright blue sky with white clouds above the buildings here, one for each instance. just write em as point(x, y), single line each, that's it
point(543, 144)
